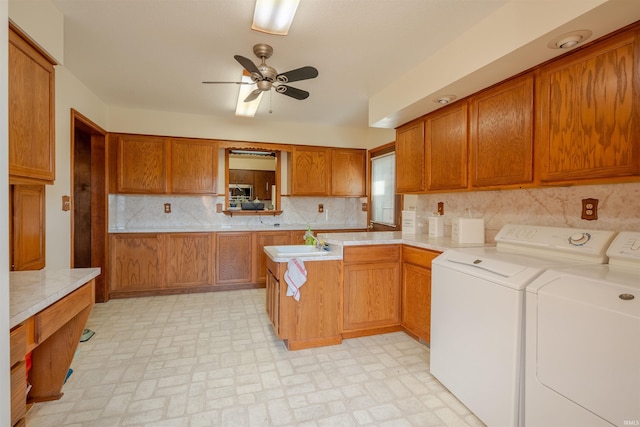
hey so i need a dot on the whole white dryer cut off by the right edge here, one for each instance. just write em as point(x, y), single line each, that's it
point(583, 342)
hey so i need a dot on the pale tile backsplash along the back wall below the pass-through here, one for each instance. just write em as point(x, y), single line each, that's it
point(135, 212)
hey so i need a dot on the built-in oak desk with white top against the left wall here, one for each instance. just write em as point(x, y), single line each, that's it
point(48, 311)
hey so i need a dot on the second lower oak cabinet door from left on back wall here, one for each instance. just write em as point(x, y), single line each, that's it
point(190, 260)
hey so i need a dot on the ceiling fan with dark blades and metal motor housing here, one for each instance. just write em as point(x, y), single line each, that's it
point(266, 77)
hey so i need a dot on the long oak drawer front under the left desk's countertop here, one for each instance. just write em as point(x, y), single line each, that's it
point(53, 318)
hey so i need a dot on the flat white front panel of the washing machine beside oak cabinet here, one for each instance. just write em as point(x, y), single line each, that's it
point(476, 343)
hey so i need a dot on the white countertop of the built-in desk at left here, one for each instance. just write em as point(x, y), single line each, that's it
point(32, 291)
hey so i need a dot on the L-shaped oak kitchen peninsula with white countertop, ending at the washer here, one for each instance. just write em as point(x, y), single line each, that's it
point(367, 283)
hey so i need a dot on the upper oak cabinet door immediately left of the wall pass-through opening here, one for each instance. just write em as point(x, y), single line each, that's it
point(194, 167)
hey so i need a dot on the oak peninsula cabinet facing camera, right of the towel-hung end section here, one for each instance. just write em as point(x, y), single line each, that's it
point(371, 289)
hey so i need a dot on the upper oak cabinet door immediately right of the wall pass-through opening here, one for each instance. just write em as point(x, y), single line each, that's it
point(310, 171)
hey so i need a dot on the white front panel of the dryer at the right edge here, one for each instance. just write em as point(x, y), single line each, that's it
point(589, 345)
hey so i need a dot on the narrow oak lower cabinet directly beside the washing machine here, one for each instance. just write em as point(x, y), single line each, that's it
point(416, 291)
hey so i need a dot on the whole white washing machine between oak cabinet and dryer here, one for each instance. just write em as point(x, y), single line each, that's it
point(477, 312)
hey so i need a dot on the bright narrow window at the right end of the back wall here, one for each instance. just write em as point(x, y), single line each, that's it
point(383, 183)
